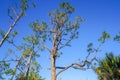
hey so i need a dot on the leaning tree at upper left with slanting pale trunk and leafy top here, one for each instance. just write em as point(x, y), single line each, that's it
point(15, 13)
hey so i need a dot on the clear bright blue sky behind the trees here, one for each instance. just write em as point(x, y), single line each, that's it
point(100, 15)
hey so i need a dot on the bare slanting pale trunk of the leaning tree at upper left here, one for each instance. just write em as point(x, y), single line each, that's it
point(11, 27)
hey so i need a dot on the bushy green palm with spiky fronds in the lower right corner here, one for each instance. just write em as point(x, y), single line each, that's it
point(109, 68)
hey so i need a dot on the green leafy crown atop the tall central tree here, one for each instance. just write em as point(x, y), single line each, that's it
point(66, 29)
